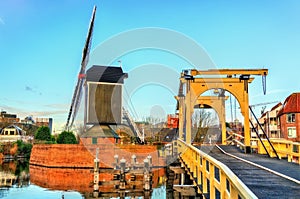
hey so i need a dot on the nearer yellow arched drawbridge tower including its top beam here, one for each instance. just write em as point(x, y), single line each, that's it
point(193, 83)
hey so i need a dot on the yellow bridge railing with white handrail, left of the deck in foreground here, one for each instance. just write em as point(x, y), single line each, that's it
point(212, 177)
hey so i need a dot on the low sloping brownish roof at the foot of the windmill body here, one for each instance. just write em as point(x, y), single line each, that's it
point(102, 131)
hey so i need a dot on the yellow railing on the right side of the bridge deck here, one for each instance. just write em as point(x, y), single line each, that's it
point(284, 148)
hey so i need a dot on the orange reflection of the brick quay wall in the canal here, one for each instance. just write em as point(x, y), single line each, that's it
point(81, 180)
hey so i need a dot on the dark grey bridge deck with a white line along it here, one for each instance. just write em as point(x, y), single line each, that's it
point(262, 183)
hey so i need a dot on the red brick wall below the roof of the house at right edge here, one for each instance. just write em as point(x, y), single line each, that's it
point(284, 125)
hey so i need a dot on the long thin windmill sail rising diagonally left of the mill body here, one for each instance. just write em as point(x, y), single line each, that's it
point(84, 61)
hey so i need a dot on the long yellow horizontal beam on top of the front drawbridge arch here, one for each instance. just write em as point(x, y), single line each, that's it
point(230, 72)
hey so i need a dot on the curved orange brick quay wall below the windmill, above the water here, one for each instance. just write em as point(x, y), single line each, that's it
point(82, 156)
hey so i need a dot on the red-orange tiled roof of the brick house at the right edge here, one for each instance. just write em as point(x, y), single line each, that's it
point(291, 104)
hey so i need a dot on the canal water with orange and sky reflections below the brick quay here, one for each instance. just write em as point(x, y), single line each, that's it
point(20, 180)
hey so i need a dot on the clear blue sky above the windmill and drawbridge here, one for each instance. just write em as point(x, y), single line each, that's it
point(41, 44)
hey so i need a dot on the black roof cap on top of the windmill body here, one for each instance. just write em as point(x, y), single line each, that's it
point(110, 74)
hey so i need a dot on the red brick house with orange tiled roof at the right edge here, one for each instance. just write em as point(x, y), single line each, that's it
point(289, 117)
